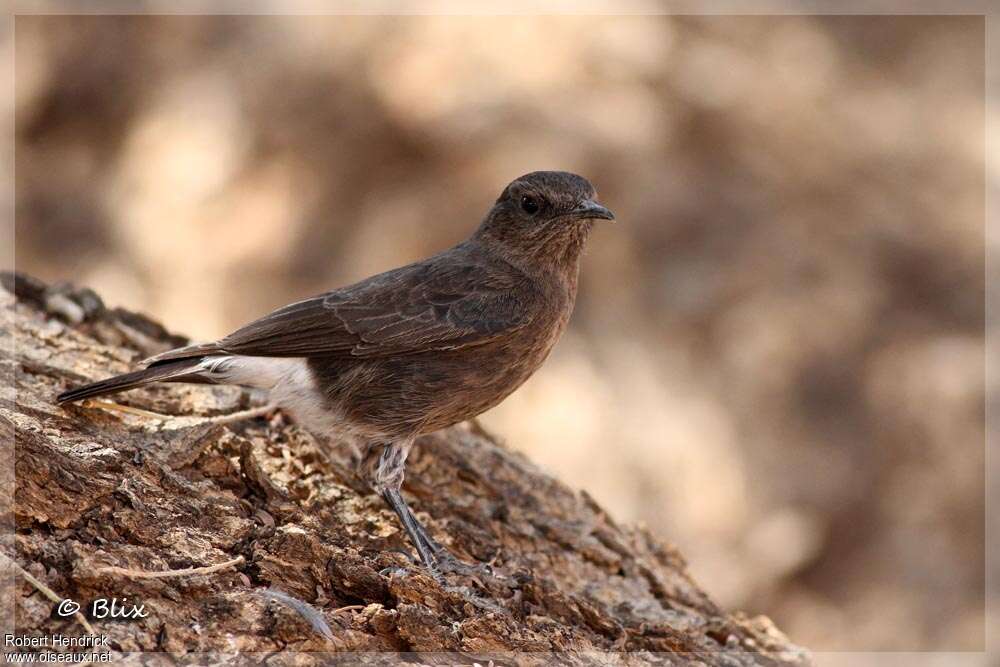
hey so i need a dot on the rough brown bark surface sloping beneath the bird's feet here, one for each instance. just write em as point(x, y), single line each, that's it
point(98, 488)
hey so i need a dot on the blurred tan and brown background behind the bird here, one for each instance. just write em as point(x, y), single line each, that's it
point(777, 359)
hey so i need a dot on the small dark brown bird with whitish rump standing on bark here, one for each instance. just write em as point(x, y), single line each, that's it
point(415, 349)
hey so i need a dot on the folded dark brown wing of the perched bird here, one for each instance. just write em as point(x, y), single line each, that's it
point(418, 308)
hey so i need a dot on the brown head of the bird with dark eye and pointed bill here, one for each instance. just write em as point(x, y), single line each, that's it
point(545, 215)
